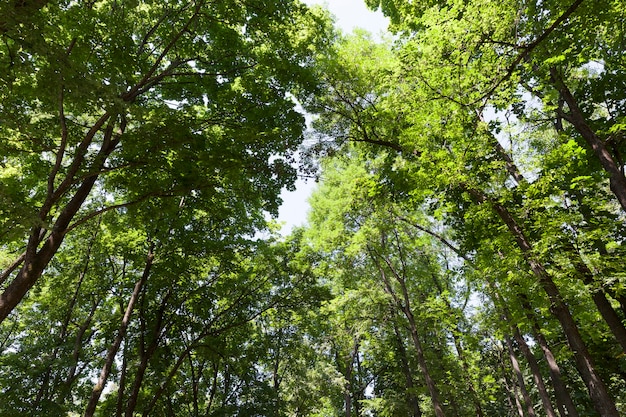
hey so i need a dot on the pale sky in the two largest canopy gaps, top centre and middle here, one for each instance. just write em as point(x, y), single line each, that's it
point(349, 14)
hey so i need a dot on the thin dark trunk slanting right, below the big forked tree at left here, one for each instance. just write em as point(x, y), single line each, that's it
point(121, 333)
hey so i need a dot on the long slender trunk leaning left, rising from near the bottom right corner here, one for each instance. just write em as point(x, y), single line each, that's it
point(598, 392)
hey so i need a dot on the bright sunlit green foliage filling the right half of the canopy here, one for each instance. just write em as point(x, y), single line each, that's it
point(470, 131)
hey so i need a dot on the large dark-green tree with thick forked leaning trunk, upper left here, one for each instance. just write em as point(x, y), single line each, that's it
point(109, 105)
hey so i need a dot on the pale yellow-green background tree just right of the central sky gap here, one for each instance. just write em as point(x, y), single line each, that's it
point(366, 238)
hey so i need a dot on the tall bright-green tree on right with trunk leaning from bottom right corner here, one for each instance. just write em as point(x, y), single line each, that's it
point(440, 152)
